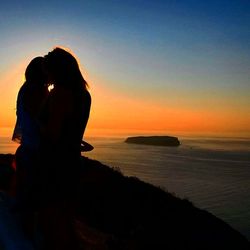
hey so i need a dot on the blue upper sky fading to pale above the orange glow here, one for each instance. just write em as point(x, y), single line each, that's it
point(182, 51)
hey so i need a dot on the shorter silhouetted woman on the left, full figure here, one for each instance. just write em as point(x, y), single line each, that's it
point(30, 101)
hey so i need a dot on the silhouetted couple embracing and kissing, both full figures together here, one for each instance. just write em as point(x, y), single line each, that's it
point(50, 126)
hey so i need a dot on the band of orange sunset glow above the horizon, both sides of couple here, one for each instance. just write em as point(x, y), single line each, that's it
point(117, 112)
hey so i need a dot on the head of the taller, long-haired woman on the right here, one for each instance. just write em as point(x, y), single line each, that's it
point(63, 69)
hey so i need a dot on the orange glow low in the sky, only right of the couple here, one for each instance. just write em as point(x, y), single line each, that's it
point(112, 110)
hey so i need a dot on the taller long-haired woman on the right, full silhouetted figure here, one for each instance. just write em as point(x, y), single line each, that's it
point(65, 117)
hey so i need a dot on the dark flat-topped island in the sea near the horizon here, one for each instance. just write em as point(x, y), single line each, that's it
point(169, 141)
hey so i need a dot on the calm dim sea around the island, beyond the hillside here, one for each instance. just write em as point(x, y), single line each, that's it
point(213, 173)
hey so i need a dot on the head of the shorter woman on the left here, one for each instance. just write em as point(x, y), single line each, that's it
point(35, 72)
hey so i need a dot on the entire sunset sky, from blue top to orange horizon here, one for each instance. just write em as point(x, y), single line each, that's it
point(163, 66)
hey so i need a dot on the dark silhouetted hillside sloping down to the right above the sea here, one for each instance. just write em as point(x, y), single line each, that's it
point(119, 212)
